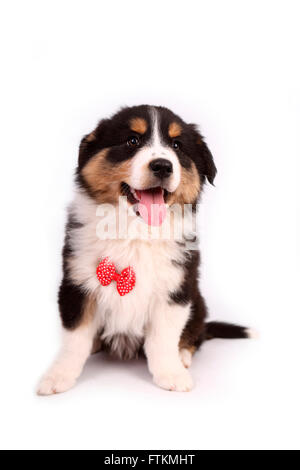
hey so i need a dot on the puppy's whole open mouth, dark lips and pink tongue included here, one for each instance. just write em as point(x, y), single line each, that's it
point(150, 204)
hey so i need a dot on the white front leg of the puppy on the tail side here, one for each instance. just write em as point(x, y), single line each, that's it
point(162, 347)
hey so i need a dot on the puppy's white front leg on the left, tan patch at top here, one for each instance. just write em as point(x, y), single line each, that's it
point(76, 348)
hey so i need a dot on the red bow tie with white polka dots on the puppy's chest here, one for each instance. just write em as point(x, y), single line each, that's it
point(106, 273)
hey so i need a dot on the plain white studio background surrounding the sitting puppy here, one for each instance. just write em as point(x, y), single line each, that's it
point(233, 68)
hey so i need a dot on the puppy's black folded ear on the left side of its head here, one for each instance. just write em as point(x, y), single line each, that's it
point(92, 143)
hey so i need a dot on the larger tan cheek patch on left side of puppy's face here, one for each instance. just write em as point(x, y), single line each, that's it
point(104, 179)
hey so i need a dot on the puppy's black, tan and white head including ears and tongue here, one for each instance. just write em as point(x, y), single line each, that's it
point(149, 155)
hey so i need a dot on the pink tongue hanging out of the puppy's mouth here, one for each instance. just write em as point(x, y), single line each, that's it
point(152, 206)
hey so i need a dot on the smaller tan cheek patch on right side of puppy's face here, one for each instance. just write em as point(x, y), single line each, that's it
point(189, 187)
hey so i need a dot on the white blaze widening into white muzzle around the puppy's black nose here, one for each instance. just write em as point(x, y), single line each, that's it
point(156, 148)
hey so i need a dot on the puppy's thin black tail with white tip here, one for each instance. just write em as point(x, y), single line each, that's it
point(216, 329)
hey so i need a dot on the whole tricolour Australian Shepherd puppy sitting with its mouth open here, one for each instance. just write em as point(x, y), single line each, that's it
point(130, 259)
